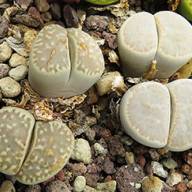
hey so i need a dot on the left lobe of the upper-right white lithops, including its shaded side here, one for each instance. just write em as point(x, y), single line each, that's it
point(137, 44)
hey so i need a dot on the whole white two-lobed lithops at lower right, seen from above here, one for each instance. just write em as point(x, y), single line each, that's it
point(159, 115)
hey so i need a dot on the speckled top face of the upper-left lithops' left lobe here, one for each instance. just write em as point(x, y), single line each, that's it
point(50, 52)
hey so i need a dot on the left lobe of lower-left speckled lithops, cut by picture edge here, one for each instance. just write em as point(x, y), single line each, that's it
point(16, 127)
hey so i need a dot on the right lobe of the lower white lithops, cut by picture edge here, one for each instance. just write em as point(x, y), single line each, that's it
point(181, 127)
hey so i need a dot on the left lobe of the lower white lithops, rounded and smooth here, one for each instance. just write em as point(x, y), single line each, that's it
point(145, 109)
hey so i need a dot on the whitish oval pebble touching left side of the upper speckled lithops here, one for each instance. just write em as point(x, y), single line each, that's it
point(18, 73)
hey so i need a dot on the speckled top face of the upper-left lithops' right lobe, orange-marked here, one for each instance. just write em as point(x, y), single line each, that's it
point(86, 56)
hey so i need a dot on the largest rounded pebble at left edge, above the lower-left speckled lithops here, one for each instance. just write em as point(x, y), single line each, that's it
point(9, 87)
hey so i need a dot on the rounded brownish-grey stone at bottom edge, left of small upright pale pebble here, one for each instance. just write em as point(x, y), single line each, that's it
point(57, 186)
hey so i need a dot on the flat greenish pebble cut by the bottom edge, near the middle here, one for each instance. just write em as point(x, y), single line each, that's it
point(109, 186)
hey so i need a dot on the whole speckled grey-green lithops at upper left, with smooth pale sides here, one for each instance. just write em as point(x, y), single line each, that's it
point(64, 62)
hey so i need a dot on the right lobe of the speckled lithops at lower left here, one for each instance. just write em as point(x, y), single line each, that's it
point(52, 145)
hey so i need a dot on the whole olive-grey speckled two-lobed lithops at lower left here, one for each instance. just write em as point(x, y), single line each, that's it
point(32, 151)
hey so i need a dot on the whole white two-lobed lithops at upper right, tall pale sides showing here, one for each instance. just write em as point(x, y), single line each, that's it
point(167, 42)
